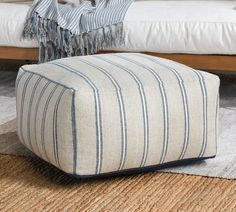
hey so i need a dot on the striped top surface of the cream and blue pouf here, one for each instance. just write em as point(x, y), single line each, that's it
point(95, 70)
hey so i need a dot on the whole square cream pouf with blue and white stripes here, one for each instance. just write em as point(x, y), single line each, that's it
point(116, 113)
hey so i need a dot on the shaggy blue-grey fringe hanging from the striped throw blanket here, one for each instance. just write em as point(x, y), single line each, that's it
point(56, 42)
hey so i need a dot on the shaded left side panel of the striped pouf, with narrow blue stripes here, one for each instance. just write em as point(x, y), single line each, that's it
point(45, 122)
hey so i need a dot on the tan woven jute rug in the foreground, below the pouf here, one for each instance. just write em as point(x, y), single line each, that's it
point(29, 184)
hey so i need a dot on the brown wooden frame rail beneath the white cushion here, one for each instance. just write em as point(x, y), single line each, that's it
point(212, 63)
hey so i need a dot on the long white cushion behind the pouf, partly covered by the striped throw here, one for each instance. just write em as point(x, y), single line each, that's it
point(197, 27)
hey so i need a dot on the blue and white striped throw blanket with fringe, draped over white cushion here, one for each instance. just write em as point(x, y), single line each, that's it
point(65, 30)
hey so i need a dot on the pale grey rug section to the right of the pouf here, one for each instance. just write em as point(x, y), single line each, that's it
point(224, 164)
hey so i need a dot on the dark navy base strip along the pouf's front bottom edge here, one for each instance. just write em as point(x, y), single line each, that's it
point(143, 170)
